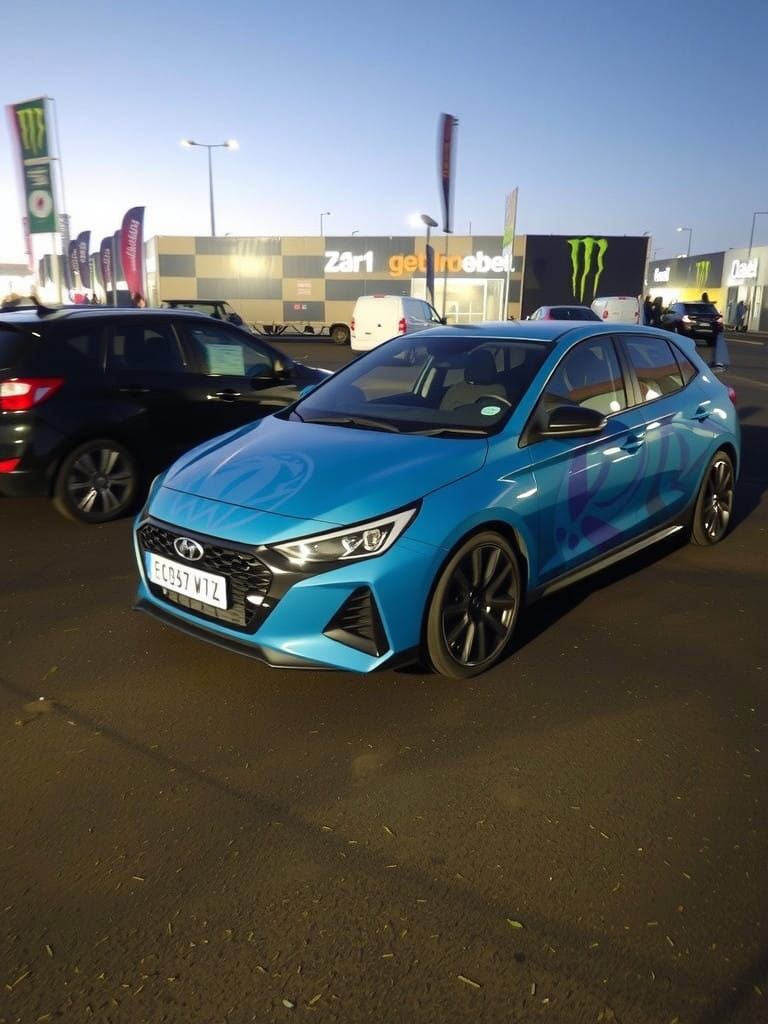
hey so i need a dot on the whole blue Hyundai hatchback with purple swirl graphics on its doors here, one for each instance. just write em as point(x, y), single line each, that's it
point(408, 507)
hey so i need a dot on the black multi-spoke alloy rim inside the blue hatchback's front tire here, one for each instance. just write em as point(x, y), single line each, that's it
point(481, 601)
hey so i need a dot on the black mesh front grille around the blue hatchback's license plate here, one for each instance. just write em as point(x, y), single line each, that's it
point(245, 574)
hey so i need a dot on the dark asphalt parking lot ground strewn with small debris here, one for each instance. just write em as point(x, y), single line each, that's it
point(578, 836)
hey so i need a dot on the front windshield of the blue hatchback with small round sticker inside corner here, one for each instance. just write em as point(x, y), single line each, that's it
point(440, 386)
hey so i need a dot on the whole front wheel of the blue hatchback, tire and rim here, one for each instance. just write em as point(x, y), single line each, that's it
point(474, 609)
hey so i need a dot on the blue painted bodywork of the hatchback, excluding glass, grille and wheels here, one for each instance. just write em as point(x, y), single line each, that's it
point(567, 500)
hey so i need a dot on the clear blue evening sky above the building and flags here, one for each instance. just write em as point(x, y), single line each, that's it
point(611, 117)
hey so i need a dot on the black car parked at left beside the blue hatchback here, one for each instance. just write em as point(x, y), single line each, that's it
point(95, 402)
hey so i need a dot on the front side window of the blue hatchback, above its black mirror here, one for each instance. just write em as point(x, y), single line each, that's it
point(590, 376)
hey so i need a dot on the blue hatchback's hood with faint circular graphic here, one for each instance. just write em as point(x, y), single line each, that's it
point(330, 474)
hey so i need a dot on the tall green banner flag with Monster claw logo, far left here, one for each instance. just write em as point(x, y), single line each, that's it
point(30, 130)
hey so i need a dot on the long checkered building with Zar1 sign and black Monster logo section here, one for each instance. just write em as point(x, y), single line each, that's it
point(306, 283)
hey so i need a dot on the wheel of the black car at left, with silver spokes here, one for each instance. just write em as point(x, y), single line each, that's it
point(97, 483)
